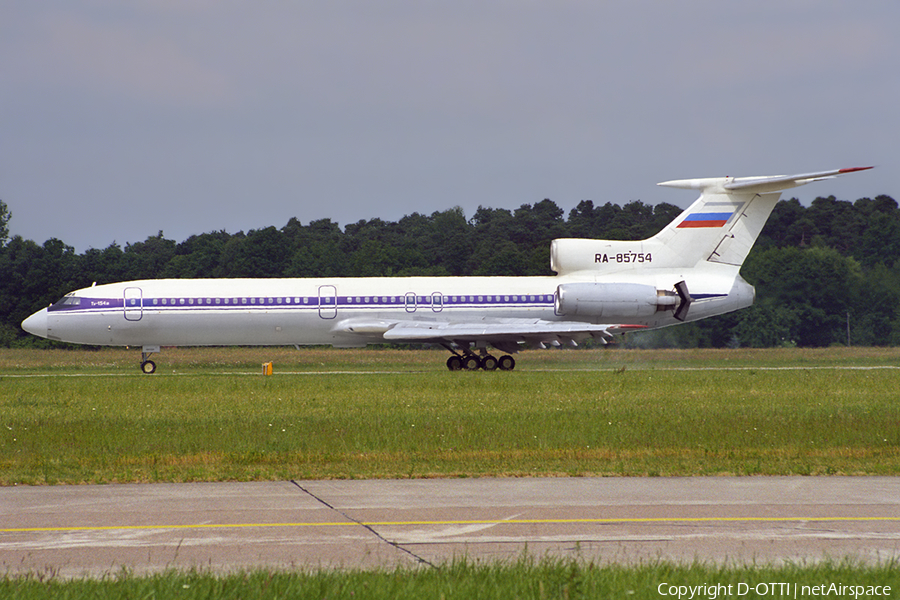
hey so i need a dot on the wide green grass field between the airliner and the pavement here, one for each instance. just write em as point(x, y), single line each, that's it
point(207, 414)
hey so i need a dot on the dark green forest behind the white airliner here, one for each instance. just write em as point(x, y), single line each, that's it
point(825, 274)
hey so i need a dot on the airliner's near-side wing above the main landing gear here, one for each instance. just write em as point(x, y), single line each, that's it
point(504, 334)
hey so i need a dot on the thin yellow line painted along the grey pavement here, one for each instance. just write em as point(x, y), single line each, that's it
point(64, 529)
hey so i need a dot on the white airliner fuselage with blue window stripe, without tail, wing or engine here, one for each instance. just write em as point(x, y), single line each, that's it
point(343, 312)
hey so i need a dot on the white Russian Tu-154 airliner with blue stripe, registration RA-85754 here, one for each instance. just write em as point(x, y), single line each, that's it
point(688, 271)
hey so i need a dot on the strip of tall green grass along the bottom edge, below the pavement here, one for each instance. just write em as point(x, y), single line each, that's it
point(524, 578)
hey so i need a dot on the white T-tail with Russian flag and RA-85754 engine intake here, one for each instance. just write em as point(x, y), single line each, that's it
point(720, 227)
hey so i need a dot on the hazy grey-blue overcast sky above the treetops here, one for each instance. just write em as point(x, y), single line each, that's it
point(121, 119)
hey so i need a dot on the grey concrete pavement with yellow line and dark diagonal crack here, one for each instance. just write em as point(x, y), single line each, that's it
point(95, 530)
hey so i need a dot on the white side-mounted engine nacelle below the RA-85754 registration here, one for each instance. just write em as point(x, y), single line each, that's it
point(613, 301)
